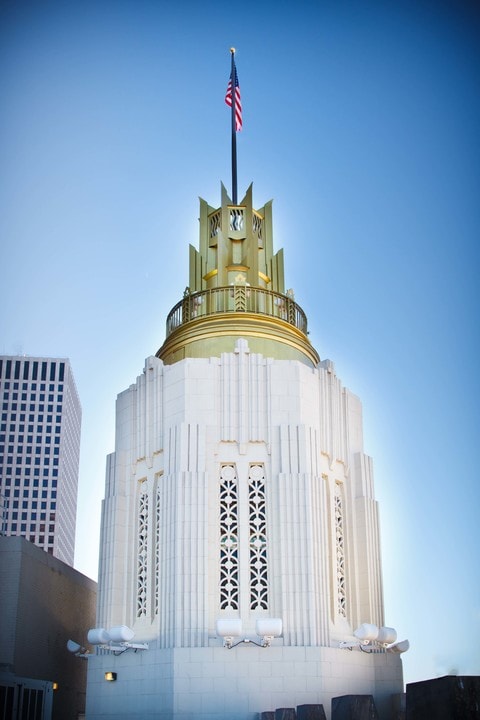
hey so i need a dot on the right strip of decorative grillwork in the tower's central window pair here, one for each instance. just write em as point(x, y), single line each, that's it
point(258, 538)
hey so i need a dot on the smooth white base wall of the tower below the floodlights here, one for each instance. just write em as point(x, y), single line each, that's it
point(237, 684)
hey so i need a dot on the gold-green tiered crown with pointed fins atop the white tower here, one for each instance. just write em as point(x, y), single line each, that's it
point(236, 290)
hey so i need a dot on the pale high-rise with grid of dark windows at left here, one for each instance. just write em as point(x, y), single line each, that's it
point(39, 452)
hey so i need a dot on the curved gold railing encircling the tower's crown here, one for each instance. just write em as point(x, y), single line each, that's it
point(236, 299)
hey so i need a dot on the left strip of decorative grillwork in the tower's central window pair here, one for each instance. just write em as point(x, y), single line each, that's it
point(229, 560)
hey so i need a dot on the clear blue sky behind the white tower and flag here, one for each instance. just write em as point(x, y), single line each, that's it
point(361, 120)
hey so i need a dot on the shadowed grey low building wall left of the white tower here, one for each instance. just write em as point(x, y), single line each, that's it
point(44, 603)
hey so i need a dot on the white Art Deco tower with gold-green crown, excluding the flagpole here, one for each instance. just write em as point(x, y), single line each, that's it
point(240, 536)
